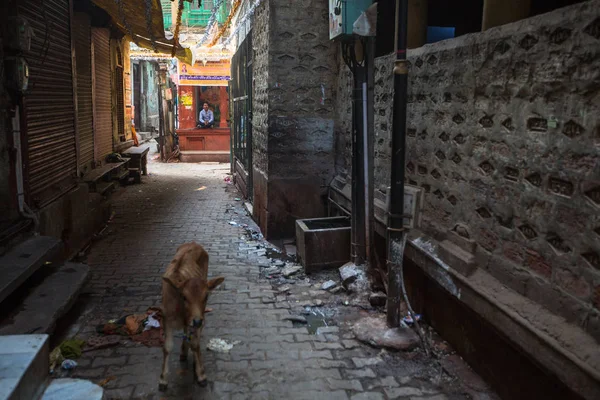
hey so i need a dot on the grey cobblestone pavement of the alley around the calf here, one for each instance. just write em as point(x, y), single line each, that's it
point(274, 359)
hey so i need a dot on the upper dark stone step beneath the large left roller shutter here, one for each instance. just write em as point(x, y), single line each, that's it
point(24, 260)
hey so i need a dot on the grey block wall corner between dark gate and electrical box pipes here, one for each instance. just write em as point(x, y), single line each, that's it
point(293, 119)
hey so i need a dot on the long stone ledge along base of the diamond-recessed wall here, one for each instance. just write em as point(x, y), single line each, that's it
point(563, 349)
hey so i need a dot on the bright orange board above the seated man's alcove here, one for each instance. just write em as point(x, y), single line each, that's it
point(213, 73)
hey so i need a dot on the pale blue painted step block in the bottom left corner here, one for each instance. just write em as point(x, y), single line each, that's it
point(24, 366)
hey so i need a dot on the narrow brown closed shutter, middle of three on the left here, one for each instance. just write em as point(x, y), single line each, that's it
point(83, 60)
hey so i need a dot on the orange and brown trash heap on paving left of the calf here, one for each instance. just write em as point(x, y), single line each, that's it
point(133, 325)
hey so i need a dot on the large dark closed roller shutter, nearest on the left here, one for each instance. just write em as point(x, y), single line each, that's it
point(49, 108)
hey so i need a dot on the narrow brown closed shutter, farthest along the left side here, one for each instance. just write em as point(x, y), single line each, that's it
point(102, 95)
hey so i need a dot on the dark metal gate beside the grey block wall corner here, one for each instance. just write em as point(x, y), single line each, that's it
point(241, 92)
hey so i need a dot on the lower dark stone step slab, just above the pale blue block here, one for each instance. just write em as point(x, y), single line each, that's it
point(47, 302)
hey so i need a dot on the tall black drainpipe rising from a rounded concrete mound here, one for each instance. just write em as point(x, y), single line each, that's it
point(396, 220)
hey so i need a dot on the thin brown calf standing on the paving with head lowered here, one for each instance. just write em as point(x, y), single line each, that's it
point(185, 293)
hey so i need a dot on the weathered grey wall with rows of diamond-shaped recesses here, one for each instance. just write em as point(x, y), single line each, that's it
point(503, 135)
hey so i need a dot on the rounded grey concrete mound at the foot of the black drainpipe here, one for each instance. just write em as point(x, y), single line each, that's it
point(375, 332)
